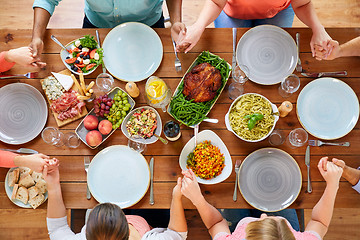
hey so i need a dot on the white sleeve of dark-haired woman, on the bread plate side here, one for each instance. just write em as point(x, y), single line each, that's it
point(59, 230)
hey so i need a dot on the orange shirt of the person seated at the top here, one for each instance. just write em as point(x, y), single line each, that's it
point(255, 9)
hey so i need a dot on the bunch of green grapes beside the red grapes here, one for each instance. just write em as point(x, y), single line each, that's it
point(119, 109)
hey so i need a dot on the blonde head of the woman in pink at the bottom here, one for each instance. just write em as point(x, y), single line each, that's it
point(269, 228)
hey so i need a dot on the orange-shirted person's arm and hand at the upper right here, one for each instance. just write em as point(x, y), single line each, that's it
point(305, 11)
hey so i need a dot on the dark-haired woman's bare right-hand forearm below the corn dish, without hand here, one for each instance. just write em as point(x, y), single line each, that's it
point(177, 216)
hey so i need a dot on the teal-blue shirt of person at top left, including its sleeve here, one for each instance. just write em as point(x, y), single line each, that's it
point(110, 13)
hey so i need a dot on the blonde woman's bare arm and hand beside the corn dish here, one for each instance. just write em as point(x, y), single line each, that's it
point(211, 217)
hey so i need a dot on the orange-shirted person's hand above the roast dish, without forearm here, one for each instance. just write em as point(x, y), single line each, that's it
point(188, 38)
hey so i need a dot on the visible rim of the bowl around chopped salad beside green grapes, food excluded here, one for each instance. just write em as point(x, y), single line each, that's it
point(150, 140)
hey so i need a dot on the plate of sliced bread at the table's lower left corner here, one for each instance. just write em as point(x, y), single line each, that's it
point(25, 187)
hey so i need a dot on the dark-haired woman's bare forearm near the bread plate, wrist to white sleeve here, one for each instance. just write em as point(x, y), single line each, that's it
point(56, 207)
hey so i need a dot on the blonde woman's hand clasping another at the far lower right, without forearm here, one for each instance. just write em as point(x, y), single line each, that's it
point(330, 172)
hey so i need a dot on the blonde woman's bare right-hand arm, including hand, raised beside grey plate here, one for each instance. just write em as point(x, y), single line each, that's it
point(322, 212)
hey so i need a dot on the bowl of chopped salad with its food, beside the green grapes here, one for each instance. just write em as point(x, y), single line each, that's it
point(141, 124)
